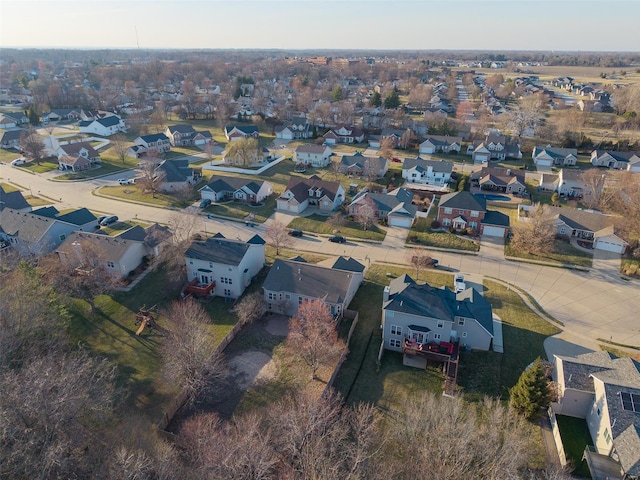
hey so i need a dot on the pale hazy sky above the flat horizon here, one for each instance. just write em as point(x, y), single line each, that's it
point(562, 25)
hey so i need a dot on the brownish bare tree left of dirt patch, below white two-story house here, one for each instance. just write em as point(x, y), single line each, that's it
point(188, 346)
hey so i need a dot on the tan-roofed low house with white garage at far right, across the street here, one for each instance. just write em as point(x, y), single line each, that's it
point(592, 229)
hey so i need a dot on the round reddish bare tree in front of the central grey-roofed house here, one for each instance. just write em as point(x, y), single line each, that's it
point(313, 336)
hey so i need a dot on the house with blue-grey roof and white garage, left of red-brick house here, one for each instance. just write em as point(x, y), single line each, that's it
point(396, 207)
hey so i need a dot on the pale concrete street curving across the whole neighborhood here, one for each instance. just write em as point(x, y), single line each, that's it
point(592, 305)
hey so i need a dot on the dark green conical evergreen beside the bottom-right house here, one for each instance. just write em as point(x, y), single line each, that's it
point(531, 393)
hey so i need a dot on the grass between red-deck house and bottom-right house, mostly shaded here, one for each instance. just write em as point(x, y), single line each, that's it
point(491, 373)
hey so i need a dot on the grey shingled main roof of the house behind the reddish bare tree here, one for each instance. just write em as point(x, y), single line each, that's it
point(308, 280)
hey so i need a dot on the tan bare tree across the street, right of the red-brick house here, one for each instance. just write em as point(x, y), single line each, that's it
point(535, 235)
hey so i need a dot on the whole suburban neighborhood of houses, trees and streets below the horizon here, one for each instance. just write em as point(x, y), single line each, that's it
point(242, 240)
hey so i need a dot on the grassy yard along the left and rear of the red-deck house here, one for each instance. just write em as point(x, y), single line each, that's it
point(359, 378)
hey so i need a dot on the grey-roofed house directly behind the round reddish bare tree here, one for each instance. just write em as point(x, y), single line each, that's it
point(289, 283)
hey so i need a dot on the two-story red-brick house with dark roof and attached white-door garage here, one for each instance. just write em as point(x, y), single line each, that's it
point(462, 210)
